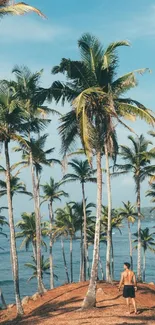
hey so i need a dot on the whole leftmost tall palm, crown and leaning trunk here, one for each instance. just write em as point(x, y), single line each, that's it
point(11, 126)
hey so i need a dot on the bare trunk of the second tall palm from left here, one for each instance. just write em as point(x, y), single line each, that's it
point(41, 288)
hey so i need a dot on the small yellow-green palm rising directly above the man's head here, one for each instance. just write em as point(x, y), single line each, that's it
point(128, 213)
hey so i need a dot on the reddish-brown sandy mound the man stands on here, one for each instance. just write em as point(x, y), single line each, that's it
point(61, 307)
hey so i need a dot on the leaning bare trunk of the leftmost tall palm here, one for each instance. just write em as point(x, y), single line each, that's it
point(13, 249)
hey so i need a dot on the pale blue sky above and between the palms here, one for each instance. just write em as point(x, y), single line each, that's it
point(41, 43)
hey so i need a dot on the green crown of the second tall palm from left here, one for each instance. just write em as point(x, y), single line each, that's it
point(27, 90)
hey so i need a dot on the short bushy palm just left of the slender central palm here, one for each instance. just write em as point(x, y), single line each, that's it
point(68, 222)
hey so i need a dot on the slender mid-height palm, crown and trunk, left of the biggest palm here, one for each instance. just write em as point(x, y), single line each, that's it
point(83, 173)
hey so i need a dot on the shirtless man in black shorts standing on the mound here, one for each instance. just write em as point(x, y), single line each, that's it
point(129, 279)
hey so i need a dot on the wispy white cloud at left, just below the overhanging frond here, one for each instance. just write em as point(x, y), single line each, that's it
point(23, 29)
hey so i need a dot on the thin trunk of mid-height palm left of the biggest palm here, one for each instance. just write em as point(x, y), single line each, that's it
point(84, 231)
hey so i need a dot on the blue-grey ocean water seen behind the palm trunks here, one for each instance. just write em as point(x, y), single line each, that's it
point(121, 255)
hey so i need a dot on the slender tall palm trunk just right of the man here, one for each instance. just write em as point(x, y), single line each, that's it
point(139, 275)
